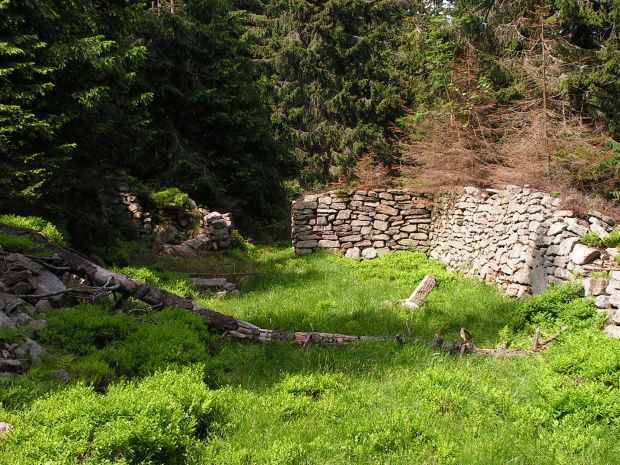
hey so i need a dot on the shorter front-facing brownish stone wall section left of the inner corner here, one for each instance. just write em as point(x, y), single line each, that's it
point(361, 223)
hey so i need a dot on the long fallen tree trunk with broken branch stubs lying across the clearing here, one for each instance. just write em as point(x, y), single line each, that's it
point(72, 261)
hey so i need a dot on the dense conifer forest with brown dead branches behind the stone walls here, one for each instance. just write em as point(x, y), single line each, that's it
point(243, 104)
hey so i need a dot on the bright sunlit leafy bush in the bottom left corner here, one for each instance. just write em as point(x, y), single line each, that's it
point(152, 421)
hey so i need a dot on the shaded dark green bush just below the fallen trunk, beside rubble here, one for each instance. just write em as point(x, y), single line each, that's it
point(112, 345)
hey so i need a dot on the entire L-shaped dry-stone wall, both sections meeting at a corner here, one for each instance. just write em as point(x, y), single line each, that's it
point(518, 239)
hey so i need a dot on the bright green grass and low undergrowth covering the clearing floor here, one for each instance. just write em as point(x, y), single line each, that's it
point(159, 388)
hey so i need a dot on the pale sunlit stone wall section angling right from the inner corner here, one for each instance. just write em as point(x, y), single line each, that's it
point(516, 238)
